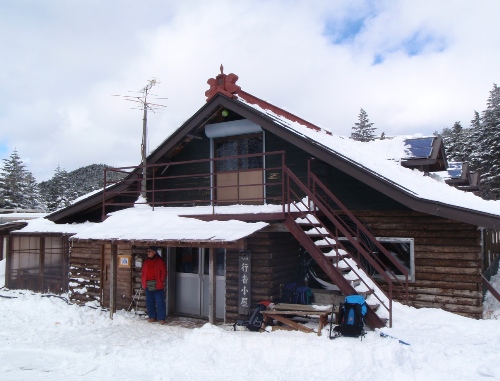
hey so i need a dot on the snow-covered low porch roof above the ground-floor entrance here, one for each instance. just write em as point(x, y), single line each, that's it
point(142, 223)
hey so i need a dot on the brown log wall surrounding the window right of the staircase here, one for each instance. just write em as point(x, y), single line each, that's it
point(447, 259)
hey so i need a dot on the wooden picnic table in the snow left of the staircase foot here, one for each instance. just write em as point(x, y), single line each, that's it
point(283, 312)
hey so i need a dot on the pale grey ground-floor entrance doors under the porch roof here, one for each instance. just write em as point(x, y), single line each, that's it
point(192, 281)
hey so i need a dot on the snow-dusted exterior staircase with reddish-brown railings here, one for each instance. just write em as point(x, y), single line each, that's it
point(322, 225)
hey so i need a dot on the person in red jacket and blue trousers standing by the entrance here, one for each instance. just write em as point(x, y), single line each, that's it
point(154, 273)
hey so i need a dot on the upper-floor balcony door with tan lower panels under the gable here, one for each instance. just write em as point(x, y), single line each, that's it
point(239, 181)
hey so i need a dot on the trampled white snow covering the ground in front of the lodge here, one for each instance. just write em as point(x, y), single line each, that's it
point(44, 338)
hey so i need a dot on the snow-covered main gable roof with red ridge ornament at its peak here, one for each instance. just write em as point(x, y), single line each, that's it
point(381, 170)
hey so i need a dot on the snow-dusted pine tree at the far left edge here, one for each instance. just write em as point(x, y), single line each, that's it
point(18, 187)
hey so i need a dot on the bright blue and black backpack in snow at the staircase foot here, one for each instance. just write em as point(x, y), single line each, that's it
point(351, 320)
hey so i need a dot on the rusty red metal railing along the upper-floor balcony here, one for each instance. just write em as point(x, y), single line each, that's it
point(241, 179)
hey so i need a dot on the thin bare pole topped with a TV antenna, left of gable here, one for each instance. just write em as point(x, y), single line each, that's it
point(145, 107)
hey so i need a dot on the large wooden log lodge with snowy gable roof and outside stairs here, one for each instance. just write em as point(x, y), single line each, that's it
point(368, 228)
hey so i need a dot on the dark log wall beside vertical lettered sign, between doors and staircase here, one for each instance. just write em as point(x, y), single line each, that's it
point(274, 262)
